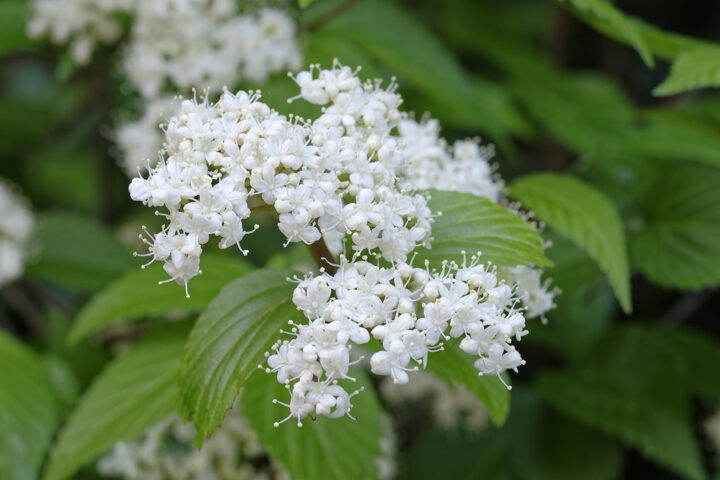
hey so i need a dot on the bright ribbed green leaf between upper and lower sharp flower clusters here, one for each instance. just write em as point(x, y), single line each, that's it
point(473, 224)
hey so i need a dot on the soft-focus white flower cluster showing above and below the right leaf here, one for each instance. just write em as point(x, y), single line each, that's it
point(431, 163)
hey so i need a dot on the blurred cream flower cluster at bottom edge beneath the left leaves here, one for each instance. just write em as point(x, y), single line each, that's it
point(166, 451)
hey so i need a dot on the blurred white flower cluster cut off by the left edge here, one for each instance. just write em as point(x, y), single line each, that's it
point(16, 225)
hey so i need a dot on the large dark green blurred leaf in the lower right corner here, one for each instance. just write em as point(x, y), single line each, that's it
point(633, 386)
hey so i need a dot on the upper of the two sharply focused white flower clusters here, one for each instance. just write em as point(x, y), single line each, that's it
point(334, 176)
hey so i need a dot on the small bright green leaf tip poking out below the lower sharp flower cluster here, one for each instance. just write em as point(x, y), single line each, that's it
point(452, 365)
